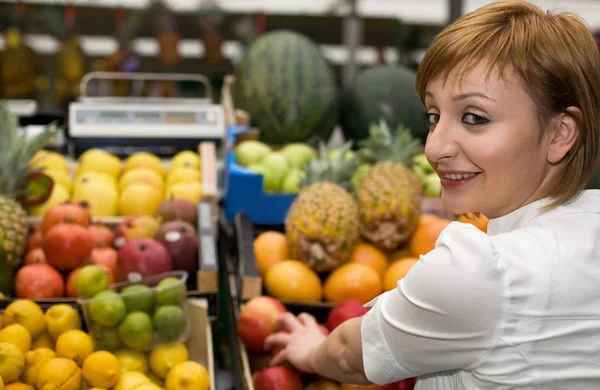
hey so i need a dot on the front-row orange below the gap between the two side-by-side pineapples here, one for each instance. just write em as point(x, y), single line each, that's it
point(352, 281)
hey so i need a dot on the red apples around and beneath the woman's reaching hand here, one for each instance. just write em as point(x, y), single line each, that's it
point(258, 319)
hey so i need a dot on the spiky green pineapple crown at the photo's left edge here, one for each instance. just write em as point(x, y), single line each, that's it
point(15, 153)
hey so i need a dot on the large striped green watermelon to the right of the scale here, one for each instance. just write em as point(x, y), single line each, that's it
point(288, 88)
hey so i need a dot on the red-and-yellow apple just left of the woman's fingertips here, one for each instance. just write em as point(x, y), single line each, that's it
point(258, 320)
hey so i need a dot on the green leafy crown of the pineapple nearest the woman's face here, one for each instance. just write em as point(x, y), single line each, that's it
point(383, 145)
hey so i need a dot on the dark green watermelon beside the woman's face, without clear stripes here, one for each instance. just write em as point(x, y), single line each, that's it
point(382, 92)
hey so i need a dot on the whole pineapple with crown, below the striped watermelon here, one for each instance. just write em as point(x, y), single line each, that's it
point(322, 224)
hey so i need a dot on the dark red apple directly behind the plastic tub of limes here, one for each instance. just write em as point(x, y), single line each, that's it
point(144, 256)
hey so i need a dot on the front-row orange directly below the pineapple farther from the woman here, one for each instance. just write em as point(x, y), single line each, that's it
point(293, 280)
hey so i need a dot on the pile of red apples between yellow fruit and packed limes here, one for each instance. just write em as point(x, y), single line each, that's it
point(67, 239)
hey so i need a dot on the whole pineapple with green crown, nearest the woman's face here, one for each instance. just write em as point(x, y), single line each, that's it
point(389, 193)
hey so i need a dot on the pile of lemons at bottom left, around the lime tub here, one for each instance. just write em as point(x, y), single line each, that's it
point(40, 351)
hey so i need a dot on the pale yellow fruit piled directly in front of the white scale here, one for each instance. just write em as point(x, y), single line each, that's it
point(111, 187)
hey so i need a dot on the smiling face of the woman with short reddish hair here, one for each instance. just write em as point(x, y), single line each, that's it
point(485, 142)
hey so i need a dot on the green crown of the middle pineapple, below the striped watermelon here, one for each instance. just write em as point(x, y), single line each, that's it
point(337, 169)
